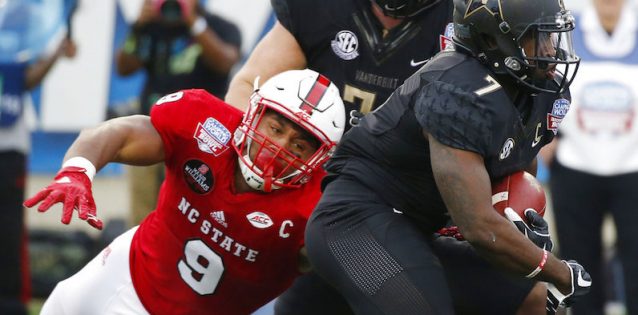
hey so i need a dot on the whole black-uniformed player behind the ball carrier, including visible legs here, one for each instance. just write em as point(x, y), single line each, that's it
point(368, 48)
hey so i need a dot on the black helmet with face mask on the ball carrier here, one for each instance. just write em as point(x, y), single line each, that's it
point(528, 40)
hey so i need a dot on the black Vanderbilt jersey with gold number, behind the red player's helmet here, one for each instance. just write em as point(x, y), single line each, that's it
point(344, 41)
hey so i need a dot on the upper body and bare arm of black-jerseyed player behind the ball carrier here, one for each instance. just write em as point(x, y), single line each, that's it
point(367, 47)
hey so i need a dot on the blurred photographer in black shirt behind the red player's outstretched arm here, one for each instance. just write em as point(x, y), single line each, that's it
point(180, 46)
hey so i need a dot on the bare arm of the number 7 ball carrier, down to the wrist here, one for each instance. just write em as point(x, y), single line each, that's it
point(465, 186)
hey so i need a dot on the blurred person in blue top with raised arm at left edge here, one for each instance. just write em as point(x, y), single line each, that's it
point(16, 78)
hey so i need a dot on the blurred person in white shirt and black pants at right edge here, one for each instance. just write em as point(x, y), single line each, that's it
point(595, 167)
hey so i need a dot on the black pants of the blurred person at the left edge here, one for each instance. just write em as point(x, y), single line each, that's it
point(12, 247)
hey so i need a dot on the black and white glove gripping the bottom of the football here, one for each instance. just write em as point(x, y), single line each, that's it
point(537, 231)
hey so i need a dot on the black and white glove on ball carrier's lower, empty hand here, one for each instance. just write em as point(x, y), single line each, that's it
point(581, 283)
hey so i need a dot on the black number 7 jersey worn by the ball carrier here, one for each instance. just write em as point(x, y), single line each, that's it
point(457, 100)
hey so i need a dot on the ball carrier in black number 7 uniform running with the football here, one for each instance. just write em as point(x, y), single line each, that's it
point(431, 151)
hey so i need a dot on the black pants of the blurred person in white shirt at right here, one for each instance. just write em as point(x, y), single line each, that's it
point(580, 201)
